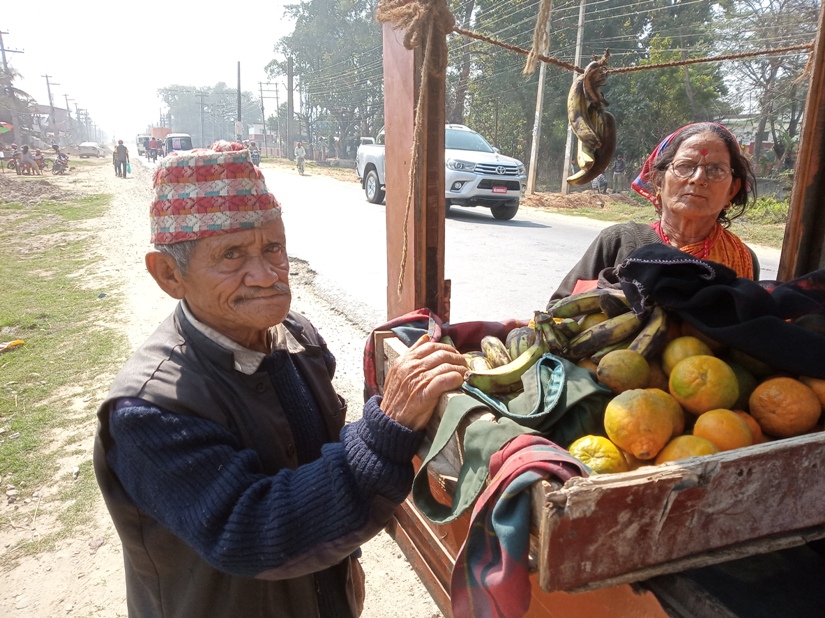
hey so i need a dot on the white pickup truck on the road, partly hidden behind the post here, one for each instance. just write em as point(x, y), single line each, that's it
point(476, 174)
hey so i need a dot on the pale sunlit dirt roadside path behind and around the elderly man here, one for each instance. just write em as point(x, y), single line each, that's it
point(83, 576)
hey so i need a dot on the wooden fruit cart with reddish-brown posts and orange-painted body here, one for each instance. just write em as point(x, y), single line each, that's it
point(733, 534)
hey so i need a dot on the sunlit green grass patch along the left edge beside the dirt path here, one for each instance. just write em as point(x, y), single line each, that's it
point(48, 395)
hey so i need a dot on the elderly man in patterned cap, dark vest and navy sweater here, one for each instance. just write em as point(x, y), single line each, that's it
point(221, 450)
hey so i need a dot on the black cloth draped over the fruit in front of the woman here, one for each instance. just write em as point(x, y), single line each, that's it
point(755, 317)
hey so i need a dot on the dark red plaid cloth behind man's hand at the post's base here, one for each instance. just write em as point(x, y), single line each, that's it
point(411, 326)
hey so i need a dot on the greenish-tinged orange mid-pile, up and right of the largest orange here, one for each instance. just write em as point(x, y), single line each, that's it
point(702, 383)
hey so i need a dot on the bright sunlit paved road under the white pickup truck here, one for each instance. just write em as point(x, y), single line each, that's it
point(498, 269)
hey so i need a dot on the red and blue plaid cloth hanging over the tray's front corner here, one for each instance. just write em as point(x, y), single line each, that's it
point(491, 573)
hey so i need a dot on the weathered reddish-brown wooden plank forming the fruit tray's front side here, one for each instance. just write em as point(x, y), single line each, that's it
point(624, 527)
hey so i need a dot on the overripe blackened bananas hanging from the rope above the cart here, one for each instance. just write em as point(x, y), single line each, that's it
point(595, 128)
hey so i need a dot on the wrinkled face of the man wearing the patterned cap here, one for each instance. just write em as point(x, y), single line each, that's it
point(238, 283)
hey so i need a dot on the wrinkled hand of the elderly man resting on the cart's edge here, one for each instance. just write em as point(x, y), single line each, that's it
point(418, 378)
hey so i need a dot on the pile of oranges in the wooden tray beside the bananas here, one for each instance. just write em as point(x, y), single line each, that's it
point(697, 398)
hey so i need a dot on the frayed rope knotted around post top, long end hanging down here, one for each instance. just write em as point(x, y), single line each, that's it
point(426, 24)
